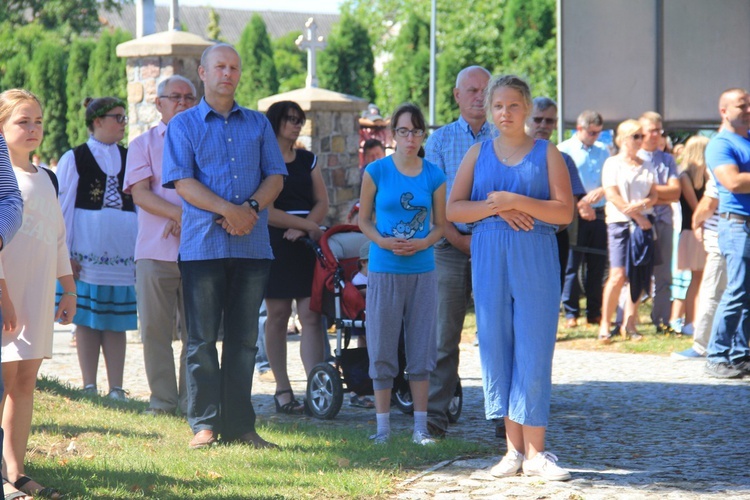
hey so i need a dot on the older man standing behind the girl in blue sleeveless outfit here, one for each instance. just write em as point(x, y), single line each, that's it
point(446, 148)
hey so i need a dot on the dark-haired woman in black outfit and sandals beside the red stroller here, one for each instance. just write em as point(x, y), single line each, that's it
point(298, 212)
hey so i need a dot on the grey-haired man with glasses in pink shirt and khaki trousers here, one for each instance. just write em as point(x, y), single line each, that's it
point(158, 281)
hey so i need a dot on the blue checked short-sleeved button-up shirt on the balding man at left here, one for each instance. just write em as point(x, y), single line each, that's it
point(231, 157)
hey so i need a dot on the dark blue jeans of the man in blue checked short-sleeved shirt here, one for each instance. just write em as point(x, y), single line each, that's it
point(219, 396)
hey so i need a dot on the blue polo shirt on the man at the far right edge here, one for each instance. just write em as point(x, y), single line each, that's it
point(728, 148)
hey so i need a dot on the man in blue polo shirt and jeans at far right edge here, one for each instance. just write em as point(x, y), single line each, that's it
point(728, 157)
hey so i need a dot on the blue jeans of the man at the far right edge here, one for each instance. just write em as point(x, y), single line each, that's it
point(729, 334)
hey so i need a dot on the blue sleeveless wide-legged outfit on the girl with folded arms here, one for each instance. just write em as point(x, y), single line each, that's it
point(516, 279)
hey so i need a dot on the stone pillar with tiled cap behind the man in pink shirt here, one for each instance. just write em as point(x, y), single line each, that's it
point(152, 59)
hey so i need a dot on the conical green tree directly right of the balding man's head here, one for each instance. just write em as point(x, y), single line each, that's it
point(259, 78)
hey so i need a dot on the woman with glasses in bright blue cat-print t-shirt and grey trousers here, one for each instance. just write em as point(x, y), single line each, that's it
point(402, 211)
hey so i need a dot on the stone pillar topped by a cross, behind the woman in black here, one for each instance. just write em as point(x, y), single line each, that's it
point(332, 133)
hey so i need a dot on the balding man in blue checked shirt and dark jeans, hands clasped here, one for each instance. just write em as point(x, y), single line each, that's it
point(225, 163)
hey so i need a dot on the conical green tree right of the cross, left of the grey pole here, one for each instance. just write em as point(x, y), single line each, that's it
point(406, 76)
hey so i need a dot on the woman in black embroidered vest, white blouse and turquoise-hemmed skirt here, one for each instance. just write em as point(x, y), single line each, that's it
point(101, 230)
